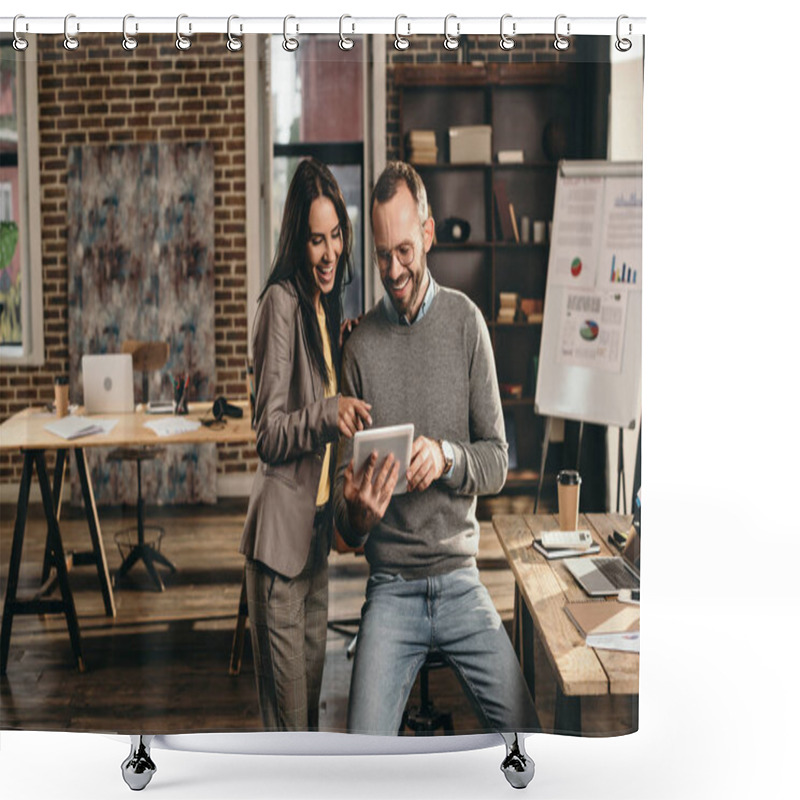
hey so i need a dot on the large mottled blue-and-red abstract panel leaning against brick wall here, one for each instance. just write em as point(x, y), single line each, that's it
point(141, 266)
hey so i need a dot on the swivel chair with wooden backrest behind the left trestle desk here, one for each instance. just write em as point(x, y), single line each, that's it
point(147, 357)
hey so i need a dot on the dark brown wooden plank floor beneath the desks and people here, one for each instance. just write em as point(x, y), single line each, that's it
point(162, 664)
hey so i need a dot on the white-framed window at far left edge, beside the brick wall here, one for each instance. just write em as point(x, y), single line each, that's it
point(21, 326)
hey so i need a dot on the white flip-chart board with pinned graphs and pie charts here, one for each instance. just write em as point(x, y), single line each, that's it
point(590, 359)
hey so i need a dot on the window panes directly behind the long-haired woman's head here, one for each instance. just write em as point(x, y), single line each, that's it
point(317, 109)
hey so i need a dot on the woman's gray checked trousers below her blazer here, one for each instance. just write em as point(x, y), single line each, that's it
point(289, 626)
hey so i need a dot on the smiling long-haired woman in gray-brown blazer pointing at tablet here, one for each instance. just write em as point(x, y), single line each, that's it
point(298, 415)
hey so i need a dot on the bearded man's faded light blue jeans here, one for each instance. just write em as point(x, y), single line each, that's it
point(402, 621)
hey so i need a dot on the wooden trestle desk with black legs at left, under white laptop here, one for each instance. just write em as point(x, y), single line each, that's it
point(26, 432)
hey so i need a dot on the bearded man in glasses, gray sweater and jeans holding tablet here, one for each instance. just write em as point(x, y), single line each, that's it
point(423, 355)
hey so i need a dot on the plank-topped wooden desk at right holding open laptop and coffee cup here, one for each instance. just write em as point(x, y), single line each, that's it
point(542, 590)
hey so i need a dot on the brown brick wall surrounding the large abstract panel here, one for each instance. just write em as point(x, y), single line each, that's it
point(102, 94)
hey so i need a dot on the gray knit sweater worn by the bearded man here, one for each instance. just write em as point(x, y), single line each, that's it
point(438, 373)
